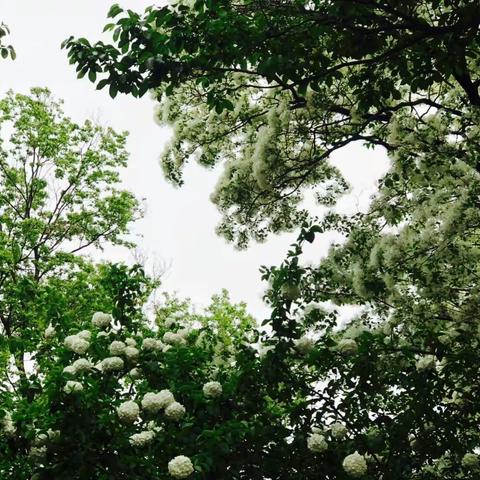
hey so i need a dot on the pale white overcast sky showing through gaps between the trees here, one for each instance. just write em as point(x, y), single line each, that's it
point(177, 234)
